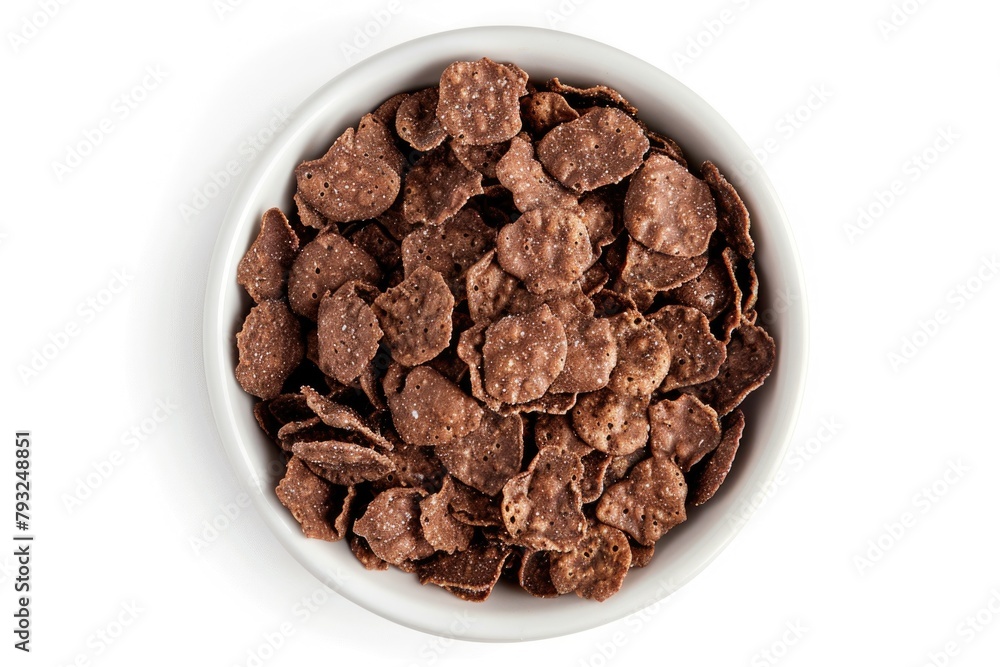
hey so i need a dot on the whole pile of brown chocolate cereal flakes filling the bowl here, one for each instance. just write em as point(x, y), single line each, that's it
point(505, 336)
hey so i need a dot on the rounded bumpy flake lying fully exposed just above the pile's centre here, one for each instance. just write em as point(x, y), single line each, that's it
point(547, 248)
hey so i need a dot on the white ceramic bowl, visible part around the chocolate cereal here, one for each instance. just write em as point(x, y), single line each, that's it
point(510, 615)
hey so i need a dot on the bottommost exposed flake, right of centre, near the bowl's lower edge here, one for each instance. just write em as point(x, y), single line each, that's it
point(595, 569)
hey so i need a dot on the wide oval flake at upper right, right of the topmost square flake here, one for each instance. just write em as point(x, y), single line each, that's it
point(601, 147)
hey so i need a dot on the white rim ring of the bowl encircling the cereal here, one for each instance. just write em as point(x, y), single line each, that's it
point(217, 340)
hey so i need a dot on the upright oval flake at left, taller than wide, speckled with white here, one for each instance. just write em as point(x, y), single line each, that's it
point(348, 334)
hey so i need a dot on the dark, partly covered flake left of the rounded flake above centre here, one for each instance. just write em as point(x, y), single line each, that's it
point(449, 248)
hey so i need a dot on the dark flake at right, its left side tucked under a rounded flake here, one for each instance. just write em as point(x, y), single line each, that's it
point(695, 354)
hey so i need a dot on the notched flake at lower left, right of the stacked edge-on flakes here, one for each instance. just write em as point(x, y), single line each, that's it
point(391, 525)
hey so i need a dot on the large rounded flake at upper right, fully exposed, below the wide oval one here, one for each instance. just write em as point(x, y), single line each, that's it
point(669, 210)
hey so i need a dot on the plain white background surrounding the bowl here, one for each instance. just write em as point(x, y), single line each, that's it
point(824, 555)
